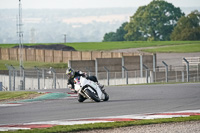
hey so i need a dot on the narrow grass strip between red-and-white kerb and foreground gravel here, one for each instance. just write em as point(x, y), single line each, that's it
point(110, 125)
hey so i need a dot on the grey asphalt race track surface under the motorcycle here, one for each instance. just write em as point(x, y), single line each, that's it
point(124, 100)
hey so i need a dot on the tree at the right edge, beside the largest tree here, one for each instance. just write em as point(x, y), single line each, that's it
point(187, 28)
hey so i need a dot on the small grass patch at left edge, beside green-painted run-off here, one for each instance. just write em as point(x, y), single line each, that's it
point(6, 95)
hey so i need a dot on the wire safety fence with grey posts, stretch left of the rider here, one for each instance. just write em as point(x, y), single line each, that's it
point(33, 79)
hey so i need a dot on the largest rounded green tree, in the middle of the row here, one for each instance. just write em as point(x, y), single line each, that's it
point(153, 22)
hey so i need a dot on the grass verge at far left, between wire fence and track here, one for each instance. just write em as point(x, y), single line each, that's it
point(9, 96)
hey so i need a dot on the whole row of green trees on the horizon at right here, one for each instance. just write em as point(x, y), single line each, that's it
point(158, 21)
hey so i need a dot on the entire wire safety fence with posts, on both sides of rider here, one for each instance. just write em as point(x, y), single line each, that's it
point(36, 79)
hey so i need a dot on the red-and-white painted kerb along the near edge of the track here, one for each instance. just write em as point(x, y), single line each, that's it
point(47, 124)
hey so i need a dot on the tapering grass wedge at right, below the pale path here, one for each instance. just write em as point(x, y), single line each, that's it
point(186, 48)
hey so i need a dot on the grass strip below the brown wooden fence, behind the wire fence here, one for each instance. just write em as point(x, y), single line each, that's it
point(31, 64)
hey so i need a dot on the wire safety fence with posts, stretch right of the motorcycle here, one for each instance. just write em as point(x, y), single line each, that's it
point(159, 75)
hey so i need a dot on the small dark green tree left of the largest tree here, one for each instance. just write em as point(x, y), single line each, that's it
point(116, 36)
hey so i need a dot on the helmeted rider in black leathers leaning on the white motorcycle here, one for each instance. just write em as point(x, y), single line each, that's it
point(71, 74)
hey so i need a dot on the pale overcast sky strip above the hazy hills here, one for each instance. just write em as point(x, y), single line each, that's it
point(67, 4)
